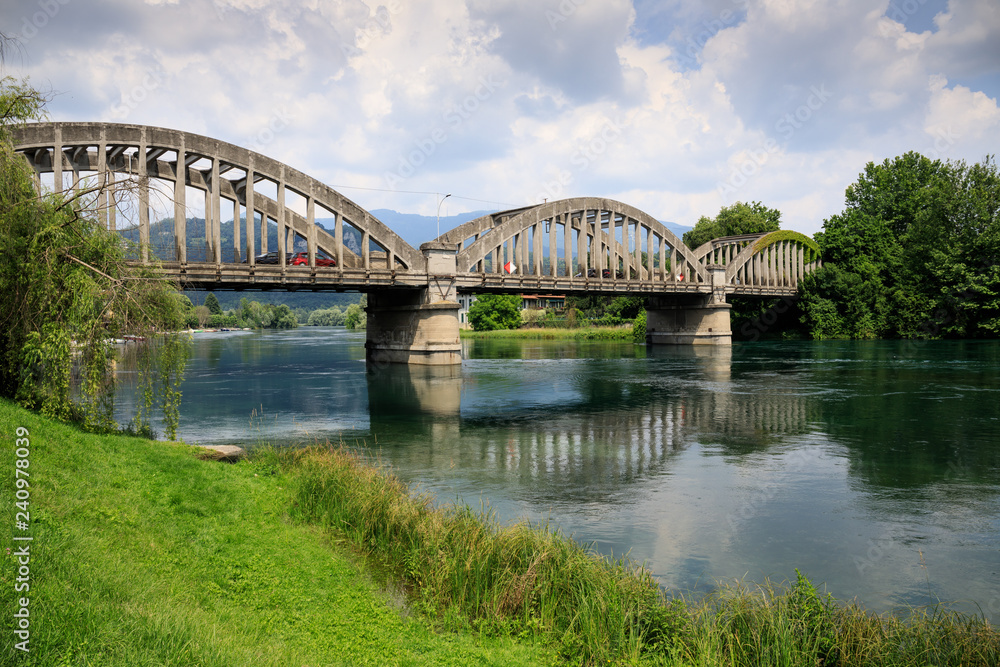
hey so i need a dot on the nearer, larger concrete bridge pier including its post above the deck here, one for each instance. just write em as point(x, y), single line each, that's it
point(418, 326)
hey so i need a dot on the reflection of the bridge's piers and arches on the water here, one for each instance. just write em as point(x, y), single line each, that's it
point(576, 439)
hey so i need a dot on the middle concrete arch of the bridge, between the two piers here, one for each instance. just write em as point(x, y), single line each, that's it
point(581, 238)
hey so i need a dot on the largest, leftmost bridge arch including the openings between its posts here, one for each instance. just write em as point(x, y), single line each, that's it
point(132, 166)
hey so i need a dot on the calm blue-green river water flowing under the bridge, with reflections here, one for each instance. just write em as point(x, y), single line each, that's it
point(872, 467)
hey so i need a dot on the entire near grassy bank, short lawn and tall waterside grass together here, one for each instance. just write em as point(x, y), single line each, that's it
point(144, 554)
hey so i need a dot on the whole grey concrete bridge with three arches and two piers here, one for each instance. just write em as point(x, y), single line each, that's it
point(584, 245)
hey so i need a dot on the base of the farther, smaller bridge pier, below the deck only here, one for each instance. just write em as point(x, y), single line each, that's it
point(698, 323)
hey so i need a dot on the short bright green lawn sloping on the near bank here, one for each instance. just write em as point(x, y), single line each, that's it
point(145, 555)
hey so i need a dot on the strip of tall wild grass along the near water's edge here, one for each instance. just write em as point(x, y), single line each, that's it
point(465, 567)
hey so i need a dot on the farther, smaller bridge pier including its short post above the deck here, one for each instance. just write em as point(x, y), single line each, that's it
point(691, 319)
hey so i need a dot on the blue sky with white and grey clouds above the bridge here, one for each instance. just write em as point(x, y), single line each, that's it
point(675, 107)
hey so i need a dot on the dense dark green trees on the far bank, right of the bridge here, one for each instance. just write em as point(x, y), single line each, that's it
point(914, 254)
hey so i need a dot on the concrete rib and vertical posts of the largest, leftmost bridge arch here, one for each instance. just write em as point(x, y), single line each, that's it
point(223, 171)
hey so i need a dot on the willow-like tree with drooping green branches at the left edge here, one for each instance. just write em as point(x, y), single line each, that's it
point(66, 292)
